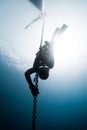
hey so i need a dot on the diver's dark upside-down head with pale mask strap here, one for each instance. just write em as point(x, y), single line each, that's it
point(44, 72)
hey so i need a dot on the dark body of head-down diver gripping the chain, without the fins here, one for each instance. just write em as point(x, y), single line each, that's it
point(43, 62)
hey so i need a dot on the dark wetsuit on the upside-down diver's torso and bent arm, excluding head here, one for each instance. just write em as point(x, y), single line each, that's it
point(44, 57)
